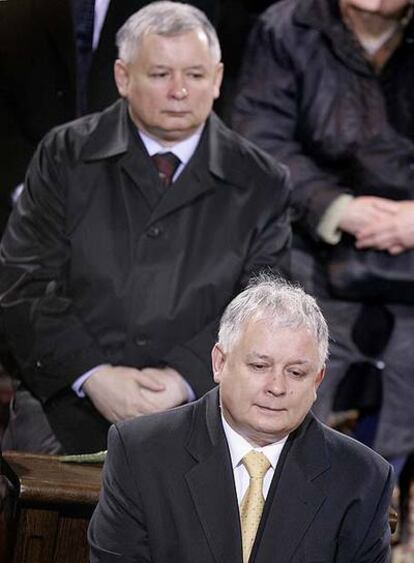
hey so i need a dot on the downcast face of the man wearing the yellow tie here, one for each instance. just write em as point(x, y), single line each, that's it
point(268, 380)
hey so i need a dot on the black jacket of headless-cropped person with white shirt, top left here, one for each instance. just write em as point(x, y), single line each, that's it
point(38, 76)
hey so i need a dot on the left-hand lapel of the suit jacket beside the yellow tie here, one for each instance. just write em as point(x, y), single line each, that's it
point(212, 486)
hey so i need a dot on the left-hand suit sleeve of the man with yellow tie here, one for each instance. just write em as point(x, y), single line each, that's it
point(117, 529)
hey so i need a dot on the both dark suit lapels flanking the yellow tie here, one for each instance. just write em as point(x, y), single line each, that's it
point(298, 488)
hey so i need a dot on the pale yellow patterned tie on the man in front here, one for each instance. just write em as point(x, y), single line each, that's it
point(251, 507)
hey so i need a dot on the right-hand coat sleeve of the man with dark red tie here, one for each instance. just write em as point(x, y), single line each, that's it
point(268, 252)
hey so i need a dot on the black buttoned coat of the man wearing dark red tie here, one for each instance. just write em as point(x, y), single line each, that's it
point(95, 268)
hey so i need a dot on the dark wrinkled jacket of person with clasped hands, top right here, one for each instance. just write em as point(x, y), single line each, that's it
point(310, 98)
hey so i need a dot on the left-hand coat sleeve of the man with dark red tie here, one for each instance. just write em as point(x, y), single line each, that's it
point(47, 337)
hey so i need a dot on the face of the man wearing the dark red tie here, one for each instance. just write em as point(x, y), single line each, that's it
point(170, 85)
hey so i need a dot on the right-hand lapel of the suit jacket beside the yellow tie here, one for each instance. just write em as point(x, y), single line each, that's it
point(297, 492)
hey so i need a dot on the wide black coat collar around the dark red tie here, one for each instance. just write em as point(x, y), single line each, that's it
point(217, 161)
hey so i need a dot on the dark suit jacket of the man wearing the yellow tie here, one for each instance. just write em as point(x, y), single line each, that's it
point(169, 495)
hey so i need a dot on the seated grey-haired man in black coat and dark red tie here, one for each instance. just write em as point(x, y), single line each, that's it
point(112, 281)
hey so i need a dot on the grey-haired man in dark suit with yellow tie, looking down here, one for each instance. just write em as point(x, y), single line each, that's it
point(182, 486)
